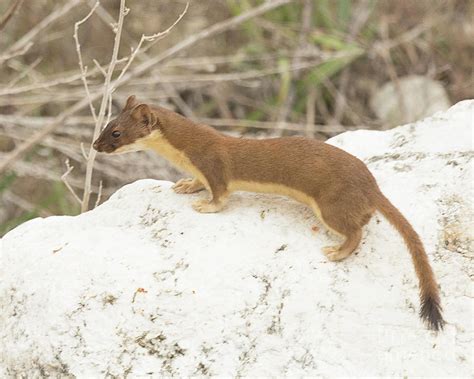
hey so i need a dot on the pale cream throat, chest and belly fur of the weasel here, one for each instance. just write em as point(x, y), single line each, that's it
point(160, 145)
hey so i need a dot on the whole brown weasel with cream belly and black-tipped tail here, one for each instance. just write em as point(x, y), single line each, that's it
point(336, 185)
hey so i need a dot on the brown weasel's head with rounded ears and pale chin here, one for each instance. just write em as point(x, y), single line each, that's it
point(129, 130)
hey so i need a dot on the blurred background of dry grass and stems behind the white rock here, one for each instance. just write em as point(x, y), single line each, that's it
point(308, 67)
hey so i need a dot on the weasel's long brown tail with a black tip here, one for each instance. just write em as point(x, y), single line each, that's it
point(430, 311)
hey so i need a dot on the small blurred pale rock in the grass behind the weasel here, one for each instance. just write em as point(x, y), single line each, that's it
point(413, 98)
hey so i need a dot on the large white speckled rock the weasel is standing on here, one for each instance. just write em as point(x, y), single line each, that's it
point(144, 285)
